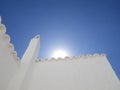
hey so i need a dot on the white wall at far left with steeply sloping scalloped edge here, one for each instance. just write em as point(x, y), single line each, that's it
point(9, 62)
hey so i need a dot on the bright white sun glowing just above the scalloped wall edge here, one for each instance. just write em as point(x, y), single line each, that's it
point(59, 53)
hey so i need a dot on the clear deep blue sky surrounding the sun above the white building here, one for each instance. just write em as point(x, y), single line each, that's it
point(78, 26)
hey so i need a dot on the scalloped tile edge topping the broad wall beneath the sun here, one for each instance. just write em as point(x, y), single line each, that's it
point(72, 57)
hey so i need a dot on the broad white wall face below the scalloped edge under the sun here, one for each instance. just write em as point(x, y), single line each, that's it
point(93, 73)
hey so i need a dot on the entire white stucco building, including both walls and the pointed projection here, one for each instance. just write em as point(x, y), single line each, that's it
point(89, 72)
